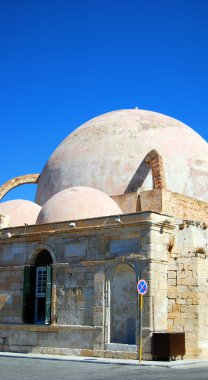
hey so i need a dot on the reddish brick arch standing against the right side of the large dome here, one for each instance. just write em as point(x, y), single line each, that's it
point(155, 161)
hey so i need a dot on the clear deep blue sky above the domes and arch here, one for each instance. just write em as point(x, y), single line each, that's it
point(63, 62)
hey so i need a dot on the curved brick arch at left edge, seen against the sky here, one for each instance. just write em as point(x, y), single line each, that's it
point(18, 181)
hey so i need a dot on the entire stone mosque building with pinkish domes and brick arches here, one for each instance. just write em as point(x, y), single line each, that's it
point(120, 220)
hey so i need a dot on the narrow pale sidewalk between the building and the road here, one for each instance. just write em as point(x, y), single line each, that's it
point(167, 364)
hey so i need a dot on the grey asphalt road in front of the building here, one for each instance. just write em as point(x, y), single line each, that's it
point(41, 369)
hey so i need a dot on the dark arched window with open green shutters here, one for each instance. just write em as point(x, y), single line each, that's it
point(37, 290)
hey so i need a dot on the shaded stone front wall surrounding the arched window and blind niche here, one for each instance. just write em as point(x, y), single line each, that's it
point(82, 259)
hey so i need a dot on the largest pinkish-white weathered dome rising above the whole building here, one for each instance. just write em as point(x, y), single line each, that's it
point(108, 151)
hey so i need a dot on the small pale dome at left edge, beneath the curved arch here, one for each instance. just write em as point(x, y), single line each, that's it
point(20, 211)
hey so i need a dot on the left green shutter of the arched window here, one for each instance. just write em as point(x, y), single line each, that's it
point(28, 295)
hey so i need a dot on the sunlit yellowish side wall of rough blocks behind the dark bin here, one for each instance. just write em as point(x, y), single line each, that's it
point(188, 286)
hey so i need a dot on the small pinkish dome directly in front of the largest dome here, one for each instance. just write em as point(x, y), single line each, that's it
point(77, 203)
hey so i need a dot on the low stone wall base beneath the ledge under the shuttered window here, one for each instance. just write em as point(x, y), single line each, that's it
point(54, 339)
